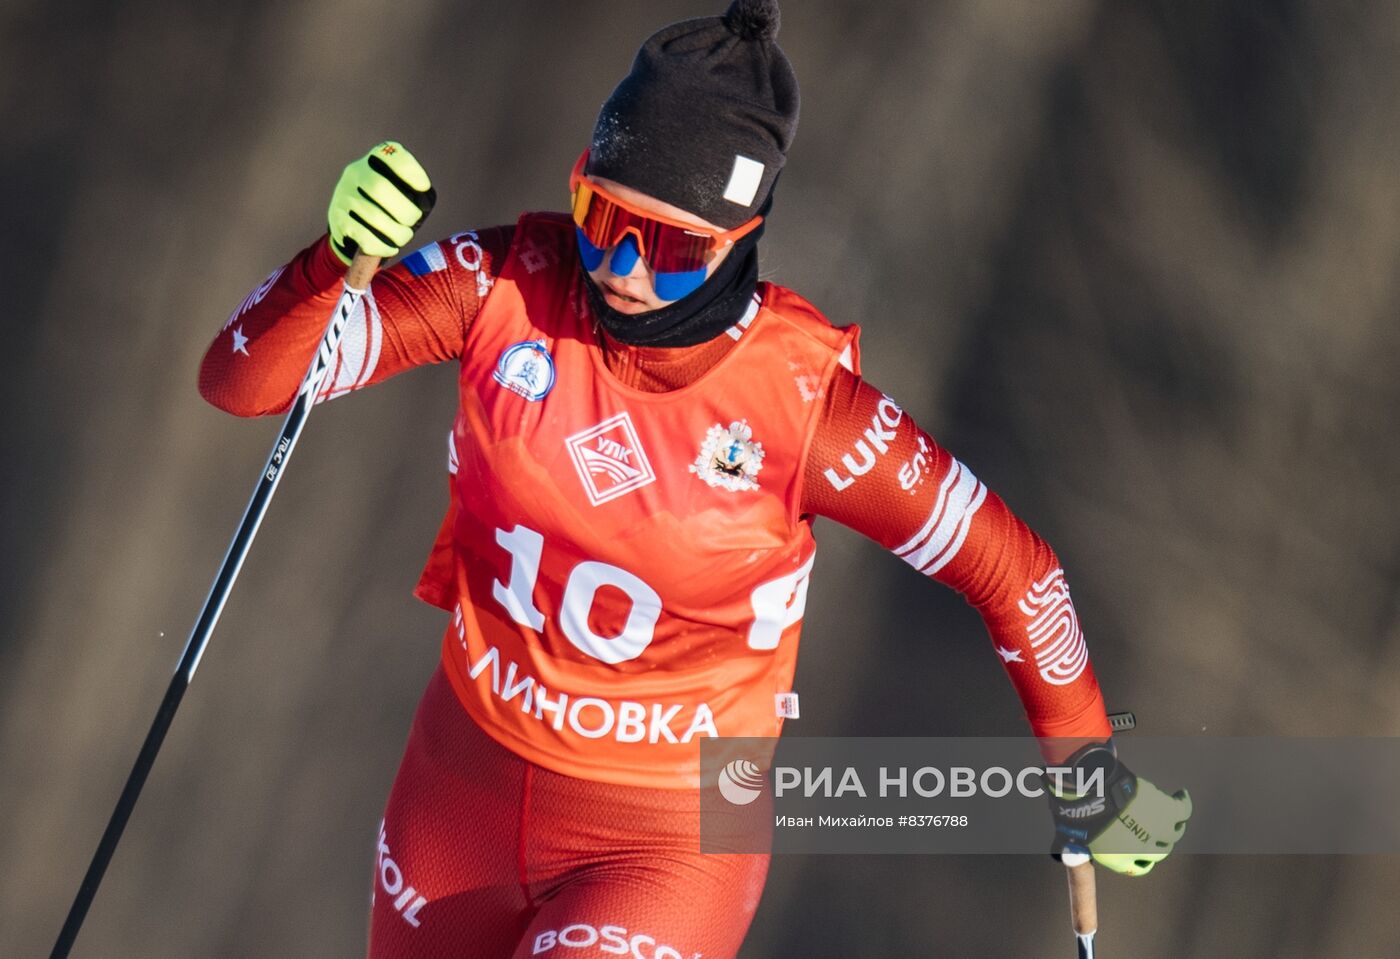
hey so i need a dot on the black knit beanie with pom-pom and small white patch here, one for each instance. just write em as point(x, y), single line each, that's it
point(706, 115)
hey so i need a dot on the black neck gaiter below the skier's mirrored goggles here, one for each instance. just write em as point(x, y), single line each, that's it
point(698, 318)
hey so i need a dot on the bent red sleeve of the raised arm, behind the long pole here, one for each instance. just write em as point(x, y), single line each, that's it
point(416, 313)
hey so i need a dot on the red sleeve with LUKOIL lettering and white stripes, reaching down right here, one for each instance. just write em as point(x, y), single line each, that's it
point(873, 470)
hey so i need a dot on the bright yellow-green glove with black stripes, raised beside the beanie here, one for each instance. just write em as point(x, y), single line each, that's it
point(381, 198)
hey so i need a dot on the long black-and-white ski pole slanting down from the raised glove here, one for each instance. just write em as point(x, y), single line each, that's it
point(358, 281)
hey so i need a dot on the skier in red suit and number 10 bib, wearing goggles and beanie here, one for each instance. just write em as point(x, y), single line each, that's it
point(645, 436)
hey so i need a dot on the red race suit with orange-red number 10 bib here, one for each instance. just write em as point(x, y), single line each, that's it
point(626, 559)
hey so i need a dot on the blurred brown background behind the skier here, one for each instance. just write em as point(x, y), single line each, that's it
point(1133, 262)
